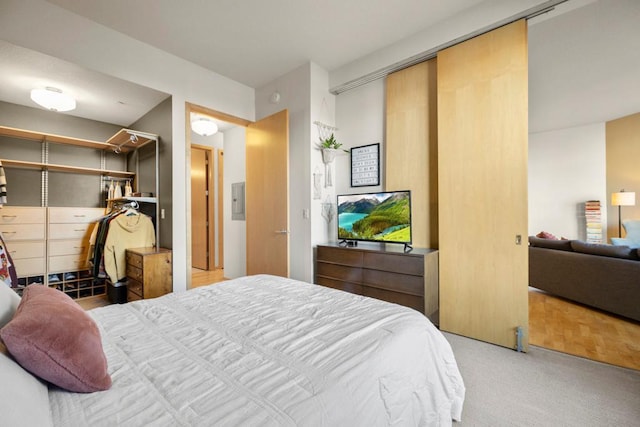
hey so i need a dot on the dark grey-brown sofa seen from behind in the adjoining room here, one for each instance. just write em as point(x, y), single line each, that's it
point(606, 277)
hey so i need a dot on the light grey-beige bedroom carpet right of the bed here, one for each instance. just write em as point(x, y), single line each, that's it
point(543, 388)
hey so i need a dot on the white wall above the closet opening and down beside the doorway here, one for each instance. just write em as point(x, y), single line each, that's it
point(44, 27)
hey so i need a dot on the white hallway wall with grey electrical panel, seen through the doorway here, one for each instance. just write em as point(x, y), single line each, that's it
point(235, 231)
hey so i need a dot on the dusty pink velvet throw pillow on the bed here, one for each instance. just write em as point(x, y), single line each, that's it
point(51, 336)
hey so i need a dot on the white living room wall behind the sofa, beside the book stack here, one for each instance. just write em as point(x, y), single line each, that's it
point(566, 168)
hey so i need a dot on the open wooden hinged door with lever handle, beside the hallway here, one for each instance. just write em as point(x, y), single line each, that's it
point(267, 195)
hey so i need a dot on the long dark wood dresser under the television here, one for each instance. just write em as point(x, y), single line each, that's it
point(382, 271)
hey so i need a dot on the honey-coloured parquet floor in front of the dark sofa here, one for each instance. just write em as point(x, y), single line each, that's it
point(572, 328)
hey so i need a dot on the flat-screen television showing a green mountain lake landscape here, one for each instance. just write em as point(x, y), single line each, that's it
point(375, 217)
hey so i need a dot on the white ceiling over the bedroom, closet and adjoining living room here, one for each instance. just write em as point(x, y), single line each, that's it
point(583, 62)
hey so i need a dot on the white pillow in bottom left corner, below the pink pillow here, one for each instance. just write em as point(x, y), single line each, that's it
point(24, 399)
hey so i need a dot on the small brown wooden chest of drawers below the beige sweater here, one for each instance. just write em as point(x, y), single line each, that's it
point(149, 273)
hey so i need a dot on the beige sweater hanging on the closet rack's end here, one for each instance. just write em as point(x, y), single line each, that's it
point(126, 231)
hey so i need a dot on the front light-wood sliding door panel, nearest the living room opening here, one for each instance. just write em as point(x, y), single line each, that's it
point(482, 171)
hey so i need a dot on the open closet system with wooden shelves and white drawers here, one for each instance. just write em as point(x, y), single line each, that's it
point(61, 185)
